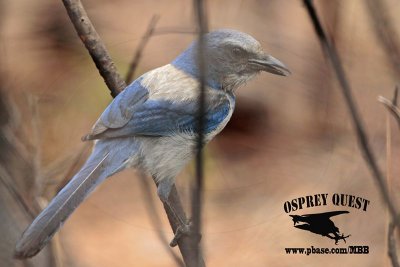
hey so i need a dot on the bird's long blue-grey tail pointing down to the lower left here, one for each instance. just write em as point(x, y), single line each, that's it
point(64, 203)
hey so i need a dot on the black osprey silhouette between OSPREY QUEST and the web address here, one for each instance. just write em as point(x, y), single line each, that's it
point(321, 224)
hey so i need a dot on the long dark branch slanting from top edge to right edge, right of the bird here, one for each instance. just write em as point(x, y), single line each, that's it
point(333, 57)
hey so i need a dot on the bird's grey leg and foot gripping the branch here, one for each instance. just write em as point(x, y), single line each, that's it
point(184, 226)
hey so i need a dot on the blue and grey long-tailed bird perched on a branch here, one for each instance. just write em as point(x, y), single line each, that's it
point(151, 125)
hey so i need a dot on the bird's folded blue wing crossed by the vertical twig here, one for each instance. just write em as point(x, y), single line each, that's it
point(160, 117)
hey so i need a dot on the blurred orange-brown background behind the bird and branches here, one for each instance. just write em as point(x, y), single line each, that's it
point(290, 137)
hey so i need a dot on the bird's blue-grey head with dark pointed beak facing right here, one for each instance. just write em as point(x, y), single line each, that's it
point(232, 58)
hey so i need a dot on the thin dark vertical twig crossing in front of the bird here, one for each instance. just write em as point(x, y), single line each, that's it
point(197, 195)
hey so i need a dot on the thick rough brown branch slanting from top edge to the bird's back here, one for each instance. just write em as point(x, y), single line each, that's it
point(95, 46)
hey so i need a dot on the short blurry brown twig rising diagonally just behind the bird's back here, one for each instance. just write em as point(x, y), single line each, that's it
point(139, 51)
